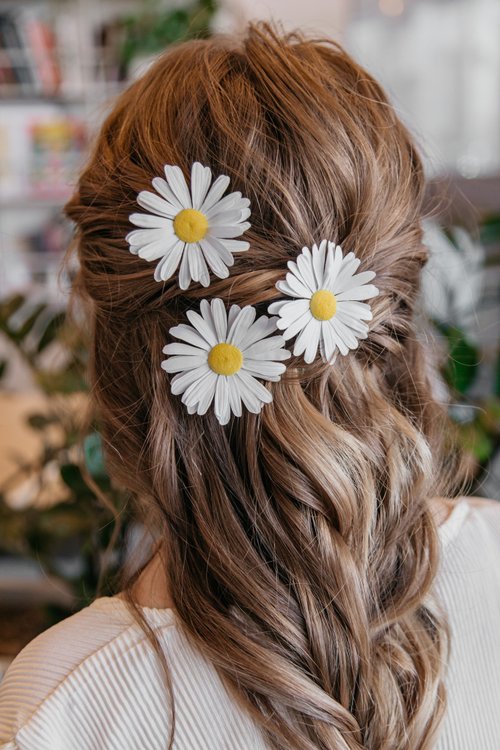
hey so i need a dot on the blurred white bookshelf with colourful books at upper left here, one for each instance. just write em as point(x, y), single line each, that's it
point(60, 68)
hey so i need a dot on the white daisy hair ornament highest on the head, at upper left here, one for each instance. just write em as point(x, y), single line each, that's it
point(194, 226)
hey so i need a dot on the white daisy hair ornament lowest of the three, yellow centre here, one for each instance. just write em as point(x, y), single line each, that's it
point(220, 358)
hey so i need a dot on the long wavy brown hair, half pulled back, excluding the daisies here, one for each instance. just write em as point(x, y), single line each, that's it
point(301, 541)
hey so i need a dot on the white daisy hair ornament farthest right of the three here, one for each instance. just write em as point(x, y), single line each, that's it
point(327, 308)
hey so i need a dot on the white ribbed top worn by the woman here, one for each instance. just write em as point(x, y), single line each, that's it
point(93, 681)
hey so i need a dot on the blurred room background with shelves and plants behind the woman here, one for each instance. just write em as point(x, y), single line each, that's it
point(62, 523)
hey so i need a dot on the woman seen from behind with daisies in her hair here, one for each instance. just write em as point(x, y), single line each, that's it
point(277, 426)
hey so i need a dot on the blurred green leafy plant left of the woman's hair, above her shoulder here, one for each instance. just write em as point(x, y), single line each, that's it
point(80, 538)
